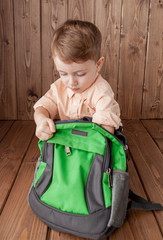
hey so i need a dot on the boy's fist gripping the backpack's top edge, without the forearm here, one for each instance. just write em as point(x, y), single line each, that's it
point(45, 128)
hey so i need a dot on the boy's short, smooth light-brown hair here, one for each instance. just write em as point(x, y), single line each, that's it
point(76, 41)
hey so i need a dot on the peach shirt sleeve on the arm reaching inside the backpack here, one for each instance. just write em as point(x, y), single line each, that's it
point(107, 110)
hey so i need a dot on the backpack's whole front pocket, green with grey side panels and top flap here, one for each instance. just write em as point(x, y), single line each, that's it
point(76, 173)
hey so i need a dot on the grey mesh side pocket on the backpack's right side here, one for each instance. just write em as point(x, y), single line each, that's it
point(120, 190)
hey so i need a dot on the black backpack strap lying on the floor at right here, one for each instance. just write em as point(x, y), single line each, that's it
point(140, 203)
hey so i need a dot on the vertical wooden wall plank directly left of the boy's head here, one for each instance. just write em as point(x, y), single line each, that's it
point(54, 13)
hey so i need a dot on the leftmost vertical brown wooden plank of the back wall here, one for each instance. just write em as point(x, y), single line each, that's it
point(8, 100)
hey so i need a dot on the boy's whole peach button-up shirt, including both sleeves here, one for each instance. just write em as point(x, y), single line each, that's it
point(97, 102)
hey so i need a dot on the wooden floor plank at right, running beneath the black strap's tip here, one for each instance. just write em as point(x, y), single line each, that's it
point(148, 161)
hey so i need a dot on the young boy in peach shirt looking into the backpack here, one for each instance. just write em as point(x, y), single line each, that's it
point(80, 91)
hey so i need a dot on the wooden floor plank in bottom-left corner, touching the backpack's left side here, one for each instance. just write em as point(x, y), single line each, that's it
point(17, 219)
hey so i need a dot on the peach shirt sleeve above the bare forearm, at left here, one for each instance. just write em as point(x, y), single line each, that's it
point(49, 101)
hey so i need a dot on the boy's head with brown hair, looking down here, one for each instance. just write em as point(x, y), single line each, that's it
point(76, 48)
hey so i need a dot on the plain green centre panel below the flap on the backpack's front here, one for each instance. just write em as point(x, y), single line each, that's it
point(66, 191)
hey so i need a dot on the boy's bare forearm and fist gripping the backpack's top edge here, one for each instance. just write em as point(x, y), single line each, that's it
point(45, 126)
